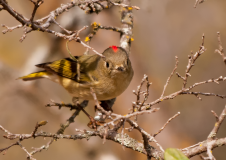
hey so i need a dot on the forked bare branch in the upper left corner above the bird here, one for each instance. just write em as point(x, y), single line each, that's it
point(44, 23)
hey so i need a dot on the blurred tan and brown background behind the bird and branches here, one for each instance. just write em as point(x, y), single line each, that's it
point(162, 30)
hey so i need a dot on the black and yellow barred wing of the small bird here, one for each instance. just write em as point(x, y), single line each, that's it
point(66, 68)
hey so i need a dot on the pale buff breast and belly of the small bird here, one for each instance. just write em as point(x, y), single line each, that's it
point(105, 88)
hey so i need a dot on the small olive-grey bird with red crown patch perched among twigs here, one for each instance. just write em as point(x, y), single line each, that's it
point(108, 76)
